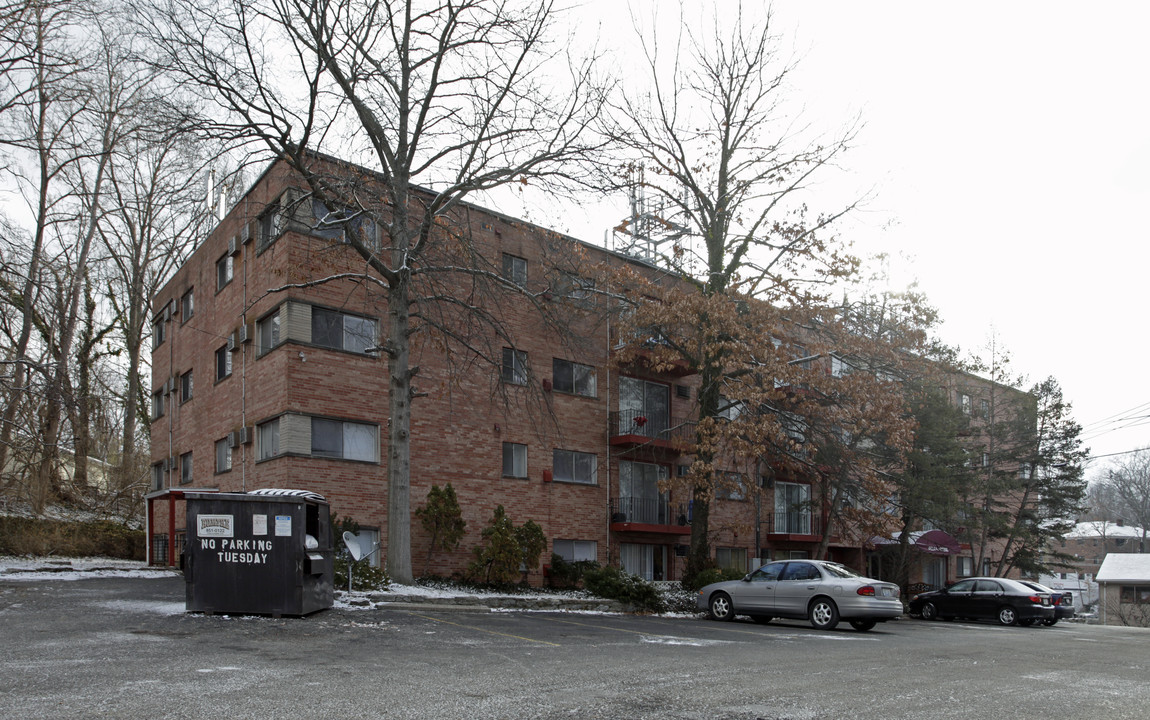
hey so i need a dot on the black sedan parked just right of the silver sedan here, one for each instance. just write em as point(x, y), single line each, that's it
point(994, 599)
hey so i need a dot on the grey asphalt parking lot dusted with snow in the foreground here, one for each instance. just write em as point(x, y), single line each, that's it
point(124, 648)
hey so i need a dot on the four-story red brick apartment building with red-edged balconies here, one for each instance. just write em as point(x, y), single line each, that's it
point(256, 389)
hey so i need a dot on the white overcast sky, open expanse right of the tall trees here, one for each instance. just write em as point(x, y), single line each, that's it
point(1009, 148)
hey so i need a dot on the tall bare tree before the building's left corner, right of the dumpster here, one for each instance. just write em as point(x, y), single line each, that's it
point(443, 101)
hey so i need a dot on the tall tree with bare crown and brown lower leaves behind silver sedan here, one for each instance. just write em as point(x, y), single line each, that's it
point(718, 152)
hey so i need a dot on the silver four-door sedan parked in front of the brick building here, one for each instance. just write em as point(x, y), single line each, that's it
point(816, 591)
